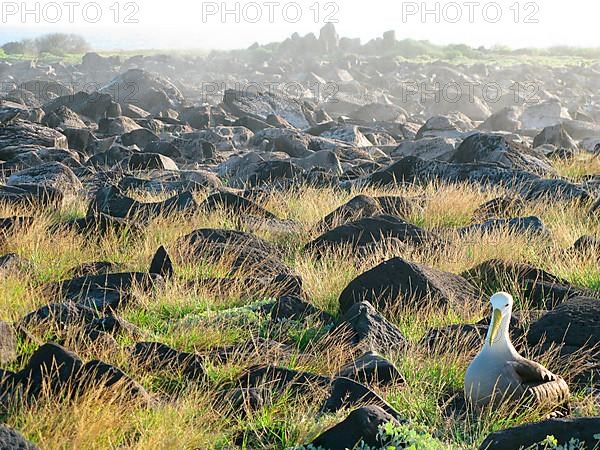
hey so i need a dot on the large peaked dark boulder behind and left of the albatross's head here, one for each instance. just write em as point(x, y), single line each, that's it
point(413, 284)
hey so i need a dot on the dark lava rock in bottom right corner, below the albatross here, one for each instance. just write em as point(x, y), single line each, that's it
point(584, 429)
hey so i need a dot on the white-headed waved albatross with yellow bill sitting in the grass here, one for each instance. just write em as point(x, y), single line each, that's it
point(499, 374)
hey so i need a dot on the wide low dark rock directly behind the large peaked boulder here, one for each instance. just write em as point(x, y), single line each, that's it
point(371, 231)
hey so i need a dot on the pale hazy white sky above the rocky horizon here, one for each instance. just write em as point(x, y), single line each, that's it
point(182, 23)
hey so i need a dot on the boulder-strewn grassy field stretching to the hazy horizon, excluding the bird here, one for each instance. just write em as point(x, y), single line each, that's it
point(293, 245)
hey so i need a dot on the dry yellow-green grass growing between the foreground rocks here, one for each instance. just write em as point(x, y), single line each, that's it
point(187, 415)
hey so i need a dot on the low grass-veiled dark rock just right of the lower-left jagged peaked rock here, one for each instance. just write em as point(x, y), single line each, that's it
point(160, 357)
